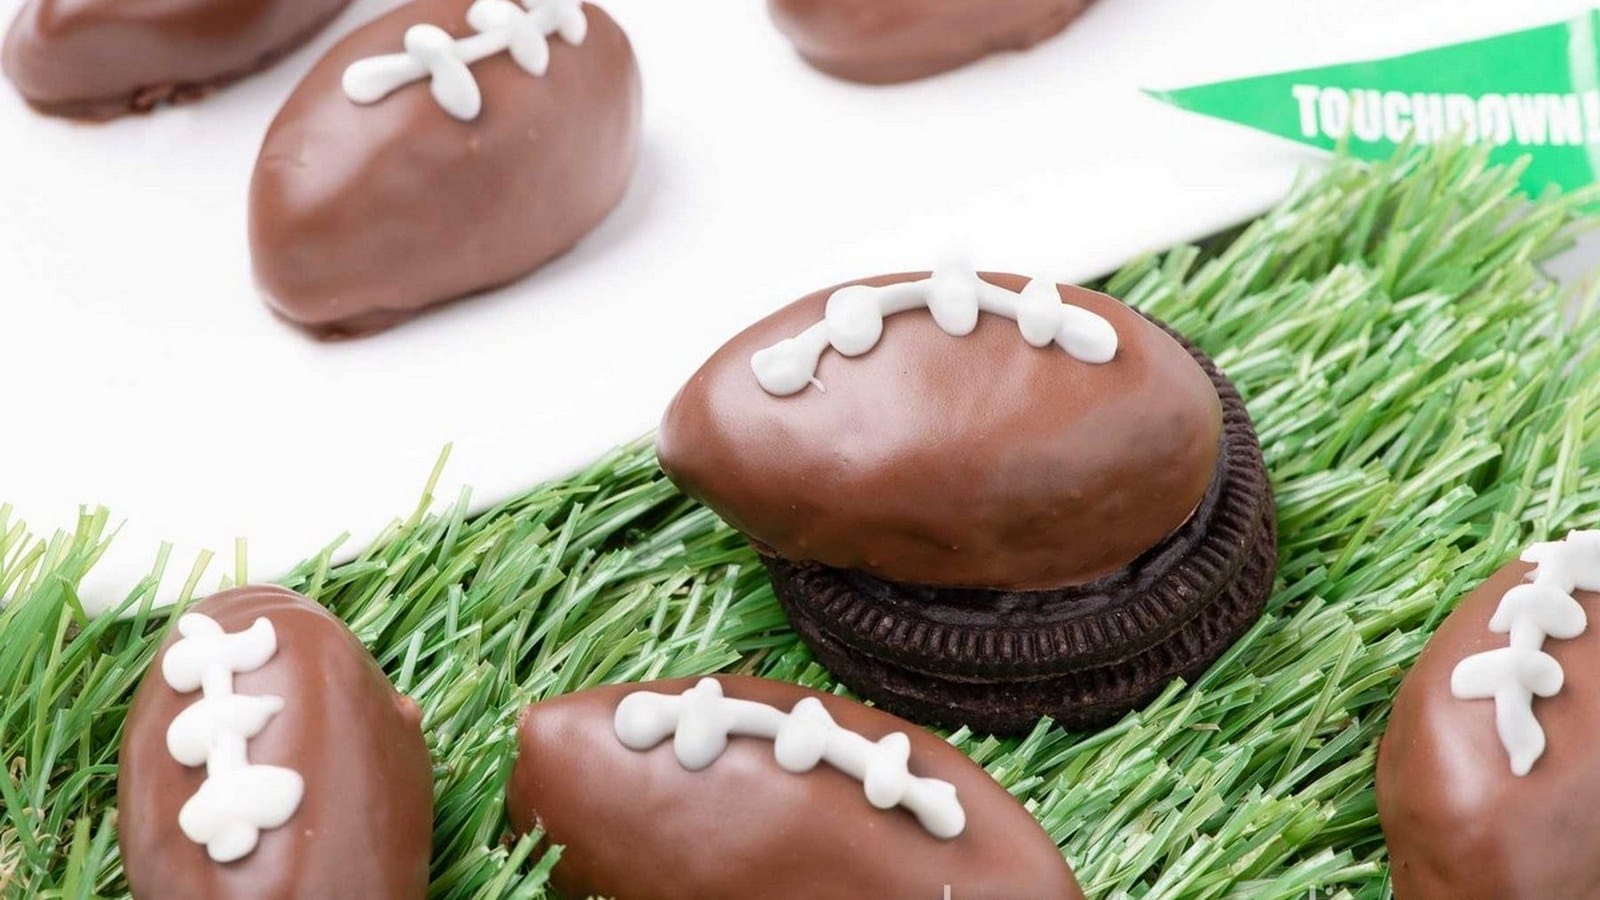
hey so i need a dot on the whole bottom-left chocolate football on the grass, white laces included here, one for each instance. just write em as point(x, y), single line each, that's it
point(266, 757)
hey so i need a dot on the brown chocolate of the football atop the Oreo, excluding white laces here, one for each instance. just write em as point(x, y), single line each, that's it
point(975, 462)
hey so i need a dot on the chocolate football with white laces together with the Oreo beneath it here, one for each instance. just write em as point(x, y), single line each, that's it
point(985, 500)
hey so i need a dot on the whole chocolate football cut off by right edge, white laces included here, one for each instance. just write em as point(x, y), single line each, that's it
point(1487, 777)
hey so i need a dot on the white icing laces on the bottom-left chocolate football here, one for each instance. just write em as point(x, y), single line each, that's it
point(238, 800)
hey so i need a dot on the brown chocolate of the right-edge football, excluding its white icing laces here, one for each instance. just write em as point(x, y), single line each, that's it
point(1458, 822)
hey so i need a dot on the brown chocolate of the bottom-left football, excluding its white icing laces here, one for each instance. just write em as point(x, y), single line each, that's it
point(364, 827)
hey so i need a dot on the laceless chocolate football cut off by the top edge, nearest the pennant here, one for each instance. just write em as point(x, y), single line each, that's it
point(900, 41)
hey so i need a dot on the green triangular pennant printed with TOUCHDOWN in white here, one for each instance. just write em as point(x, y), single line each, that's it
point(1527, 94)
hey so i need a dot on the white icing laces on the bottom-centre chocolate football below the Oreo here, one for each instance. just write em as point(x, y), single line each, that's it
point(700, 721)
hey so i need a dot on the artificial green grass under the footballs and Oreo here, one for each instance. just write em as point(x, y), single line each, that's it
point(1423, 411)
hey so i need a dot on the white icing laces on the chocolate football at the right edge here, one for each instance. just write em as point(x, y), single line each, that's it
point(1529, 614)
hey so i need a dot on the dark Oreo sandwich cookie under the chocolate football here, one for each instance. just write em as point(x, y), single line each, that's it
point(1087, 654)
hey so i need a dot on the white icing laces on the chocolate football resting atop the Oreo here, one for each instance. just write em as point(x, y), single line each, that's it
point(854, 323)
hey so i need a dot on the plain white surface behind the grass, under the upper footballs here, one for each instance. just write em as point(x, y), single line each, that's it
point(143, 374)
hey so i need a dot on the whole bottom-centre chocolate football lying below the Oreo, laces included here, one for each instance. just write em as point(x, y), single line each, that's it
point(738, 787)
